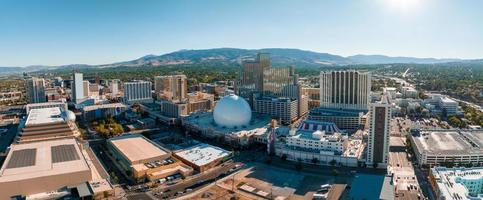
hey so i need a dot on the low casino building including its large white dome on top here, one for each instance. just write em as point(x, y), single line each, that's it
point(232, 121)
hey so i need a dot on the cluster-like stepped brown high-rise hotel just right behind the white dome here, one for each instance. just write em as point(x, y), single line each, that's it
point(267, 87)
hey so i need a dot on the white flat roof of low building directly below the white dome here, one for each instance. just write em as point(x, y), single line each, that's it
point(202, 154)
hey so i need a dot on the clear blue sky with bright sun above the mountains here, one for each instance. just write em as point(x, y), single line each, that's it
point(58, 32)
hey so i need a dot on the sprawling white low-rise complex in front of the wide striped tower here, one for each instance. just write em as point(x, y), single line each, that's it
point(320, 143)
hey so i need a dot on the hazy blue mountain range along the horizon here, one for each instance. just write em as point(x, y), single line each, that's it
point(280, 57)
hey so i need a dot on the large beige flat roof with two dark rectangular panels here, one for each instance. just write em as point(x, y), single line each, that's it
point(29, 165)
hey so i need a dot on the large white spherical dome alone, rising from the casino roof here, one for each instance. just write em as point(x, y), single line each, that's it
point(232, 111)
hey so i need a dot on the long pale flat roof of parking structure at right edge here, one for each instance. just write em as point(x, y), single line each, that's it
point(450, 142)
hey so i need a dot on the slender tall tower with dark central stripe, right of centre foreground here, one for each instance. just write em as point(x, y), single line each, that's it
point(379, 127)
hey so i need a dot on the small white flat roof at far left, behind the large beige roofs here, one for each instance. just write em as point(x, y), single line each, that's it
point(44, 116)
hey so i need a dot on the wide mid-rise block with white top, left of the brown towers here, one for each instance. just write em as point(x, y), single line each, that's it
point(137, 92)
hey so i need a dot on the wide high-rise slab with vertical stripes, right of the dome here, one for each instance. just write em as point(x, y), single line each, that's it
point(345, 89)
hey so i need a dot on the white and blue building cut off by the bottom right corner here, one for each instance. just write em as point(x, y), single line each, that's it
point(457, 183)
